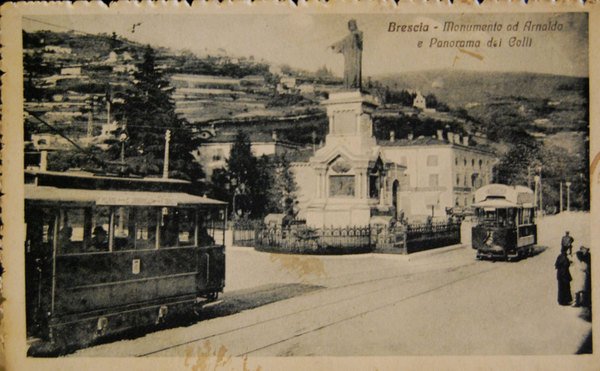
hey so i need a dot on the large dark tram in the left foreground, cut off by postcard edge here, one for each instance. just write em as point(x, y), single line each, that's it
point(106, 254)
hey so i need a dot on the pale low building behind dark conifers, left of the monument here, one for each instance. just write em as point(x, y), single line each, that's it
point(214, 153)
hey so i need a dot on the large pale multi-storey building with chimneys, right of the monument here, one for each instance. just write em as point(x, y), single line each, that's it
point(442, 173)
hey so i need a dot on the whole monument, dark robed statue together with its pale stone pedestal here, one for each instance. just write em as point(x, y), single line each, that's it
point(353, 180)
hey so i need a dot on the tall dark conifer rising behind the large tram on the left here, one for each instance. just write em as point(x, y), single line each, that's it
point(148, 112)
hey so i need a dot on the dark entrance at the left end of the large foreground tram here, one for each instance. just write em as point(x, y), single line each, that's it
point(40, 235)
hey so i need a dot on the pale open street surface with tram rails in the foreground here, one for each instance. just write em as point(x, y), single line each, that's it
point(436, 303)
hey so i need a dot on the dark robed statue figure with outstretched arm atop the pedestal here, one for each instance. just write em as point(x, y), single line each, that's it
point(351, 47)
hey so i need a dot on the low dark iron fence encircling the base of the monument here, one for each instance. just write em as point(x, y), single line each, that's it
point(403, 239)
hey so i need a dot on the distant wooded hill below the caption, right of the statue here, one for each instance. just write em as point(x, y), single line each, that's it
point(540, 104)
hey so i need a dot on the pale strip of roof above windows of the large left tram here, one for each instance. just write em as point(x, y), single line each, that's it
point(115, 198)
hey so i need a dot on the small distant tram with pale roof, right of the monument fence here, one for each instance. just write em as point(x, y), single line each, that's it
point(505, 222)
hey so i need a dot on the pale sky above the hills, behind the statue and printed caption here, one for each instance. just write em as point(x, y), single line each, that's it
point(302, 40)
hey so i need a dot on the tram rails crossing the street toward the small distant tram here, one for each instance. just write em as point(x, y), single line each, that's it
point(347, 298)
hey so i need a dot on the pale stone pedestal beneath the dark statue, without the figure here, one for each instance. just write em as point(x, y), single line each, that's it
point(349, 169)
